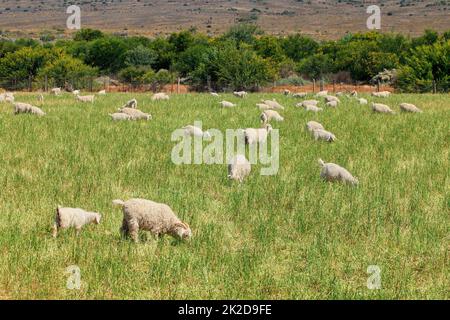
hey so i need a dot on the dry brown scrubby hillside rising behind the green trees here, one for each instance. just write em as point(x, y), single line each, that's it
point(323, 19)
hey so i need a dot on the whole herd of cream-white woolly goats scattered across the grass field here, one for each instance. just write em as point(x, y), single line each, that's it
point(158, 218)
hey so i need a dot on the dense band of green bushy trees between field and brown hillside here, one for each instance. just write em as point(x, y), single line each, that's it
point(242, 58)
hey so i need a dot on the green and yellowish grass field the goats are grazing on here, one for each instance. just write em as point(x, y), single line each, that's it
point(289, 236)
